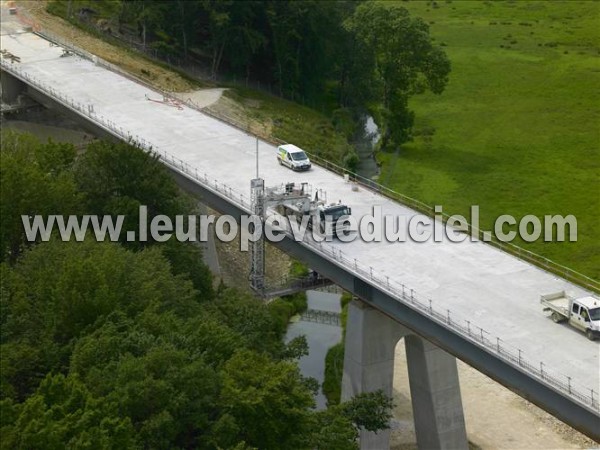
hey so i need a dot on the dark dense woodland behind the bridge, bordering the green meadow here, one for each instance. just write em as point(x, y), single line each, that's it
point(353, 56)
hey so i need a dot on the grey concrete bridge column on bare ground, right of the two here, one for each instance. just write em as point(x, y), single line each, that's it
point(435, 393)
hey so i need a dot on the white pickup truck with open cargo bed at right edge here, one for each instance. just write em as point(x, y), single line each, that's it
point(582, 313)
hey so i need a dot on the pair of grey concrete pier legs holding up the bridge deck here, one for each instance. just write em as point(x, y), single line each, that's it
point(371, 339)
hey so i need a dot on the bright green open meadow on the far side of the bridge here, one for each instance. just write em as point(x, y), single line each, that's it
point(517, 130)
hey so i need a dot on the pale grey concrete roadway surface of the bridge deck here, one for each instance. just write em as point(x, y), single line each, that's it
point(477, 282)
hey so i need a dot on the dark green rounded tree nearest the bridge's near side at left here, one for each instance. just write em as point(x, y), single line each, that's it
point(117, 179)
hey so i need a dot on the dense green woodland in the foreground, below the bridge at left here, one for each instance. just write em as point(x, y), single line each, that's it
point(129, 346)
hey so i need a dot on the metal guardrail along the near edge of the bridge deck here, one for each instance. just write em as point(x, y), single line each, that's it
point(397, 290)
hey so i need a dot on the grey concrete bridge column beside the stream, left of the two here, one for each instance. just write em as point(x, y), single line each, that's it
point(370, 344)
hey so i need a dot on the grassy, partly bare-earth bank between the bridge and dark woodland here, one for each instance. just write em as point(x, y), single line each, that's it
point(264, 114)
